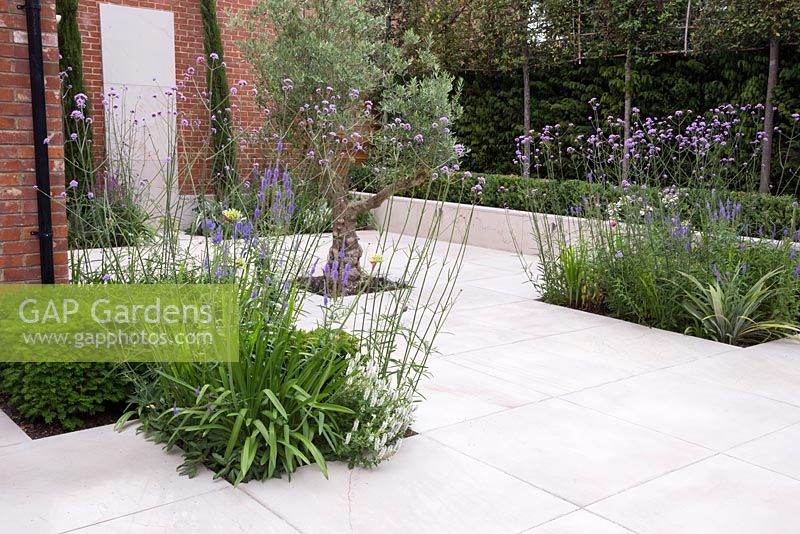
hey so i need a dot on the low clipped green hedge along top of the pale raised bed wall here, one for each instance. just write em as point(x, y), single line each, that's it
point(773, 216)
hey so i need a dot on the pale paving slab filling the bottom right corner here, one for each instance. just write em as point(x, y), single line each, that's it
point(720, 495)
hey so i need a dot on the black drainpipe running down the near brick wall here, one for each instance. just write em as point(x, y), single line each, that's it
point(45, 233)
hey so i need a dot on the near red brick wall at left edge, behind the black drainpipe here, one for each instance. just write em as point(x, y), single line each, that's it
point(19, 250)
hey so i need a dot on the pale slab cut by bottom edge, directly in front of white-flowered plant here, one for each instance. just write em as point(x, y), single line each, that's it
point(425, 488)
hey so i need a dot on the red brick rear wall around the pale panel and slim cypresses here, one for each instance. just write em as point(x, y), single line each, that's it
point(188, 46)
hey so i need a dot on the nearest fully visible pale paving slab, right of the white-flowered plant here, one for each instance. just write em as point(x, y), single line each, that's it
point(571, 451)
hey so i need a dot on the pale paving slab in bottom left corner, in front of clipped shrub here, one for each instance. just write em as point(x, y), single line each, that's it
point(78, 479)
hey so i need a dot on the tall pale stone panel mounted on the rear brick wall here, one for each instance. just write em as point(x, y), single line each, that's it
point(138, 51)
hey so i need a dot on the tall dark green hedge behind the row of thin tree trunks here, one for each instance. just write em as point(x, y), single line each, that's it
point(493, 104)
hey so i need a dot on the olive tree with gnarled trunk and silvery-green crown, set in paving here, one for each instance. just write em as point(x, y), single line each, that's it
point(350, 97)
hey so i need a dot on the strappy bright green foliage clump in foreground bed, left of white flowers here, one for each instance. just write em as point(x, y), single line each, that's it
point(269, 413)
